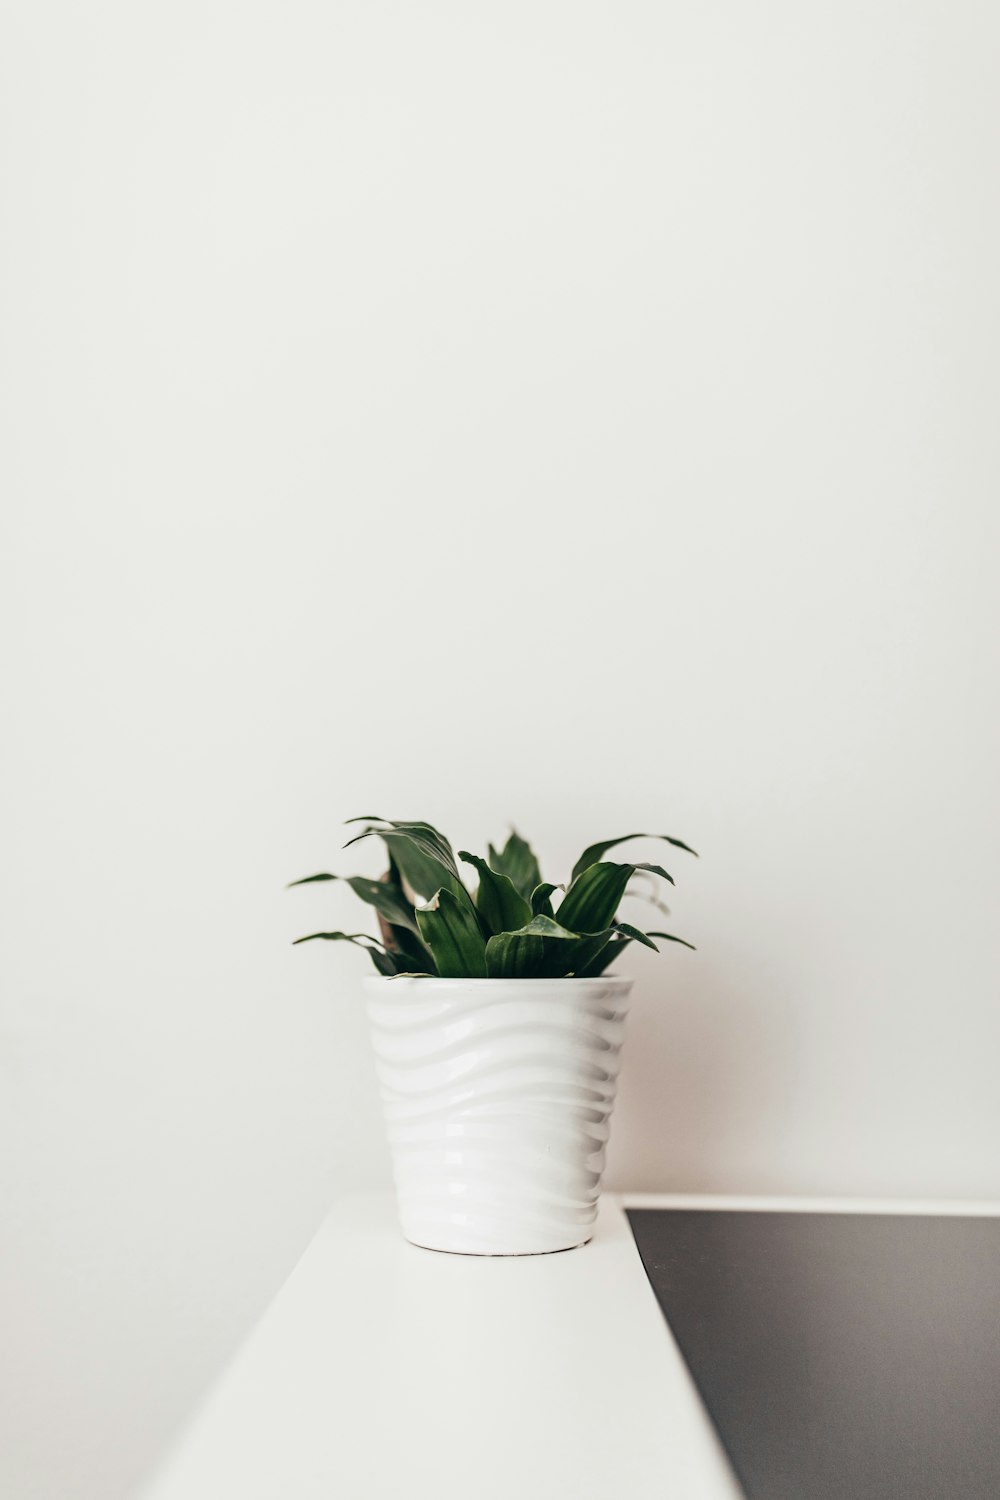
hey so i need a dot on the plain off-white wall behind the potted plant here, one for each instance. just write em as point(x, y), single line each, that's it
point(578, 413)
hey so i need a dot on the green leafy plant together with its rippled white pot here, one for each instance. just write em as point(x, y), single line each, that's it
point(497, 1034)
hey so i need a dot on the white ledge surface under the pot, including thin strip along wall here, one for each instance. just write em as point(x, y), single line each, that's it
point(383, 1370)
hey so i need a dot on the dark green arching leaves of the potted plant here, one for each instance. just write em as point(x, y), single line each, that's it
point(513, 926)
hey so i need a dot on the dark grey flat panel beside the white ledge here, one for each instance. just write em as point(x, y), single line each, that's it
point(842, 1357)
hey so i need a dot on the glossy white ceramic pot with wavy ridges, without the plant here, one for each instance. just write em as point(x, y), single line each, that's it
point(499, 1099)
